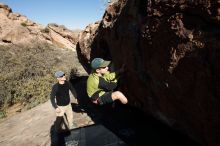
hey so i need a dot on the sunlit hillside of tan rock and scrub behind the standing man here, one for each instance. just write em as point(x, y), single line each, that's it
point(29, 55)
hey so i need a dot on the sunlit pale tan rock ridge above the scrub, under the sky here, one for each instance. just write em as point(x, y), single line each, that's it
point(16, 28)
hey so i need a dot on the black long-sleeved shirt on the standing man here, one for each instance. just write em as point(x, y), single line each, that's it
point(61, 93)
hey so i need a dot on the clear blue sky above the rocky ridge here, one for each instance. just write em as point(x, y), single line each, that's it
point(73, 14)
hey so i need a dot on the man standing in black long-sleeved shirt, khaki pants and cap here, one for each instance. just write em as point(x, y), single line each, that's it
point(60, 99)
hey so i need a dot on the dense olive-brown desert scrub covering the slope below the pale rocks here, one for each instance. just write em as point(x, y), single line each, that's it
point(26, 74)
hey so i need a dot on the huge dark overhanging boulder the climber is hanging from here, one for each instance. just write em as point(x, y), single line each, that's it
point(171, 50)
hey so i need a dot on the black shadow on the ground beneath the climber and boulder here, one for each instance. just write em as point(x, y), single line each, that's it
point(118, 126)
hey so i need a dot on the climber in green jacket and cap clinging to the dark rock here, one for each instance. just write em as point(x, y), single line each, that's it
point(101, 83)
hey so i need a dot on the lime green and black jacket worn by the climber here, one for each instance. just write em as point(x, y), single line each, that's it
point(98, 85)
